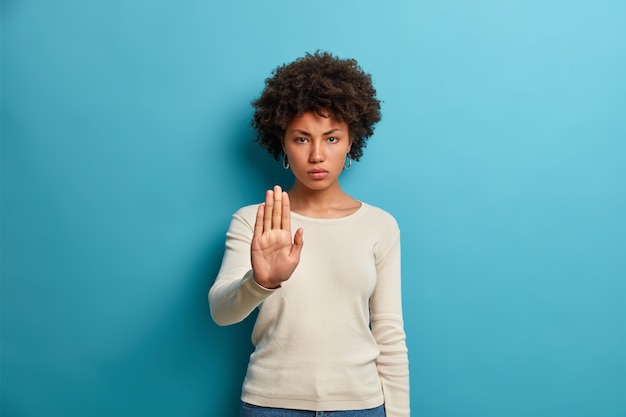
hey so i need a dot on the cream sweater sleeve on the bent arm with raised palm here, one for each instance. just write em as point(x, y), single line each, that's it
point(235, 293)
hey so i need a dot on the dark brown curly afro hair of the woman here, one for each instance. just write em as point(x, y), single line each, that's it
point(317, 82)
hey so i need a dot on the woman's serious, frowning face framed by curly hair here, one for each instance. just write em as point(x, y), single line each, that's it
point(316, 147)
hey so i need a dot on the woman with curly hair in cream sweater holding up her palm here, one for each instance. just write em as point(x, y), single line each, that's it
point(329, 335)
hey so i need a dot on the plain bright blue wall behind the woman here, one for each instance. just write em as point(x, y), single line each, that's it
point(126, 147)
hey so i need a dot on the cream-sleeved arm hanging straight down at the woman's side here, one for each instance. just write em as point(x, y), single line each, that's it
point(388, 330)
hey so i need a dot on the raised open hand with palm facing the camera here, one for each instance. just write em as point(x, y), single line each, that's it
point(274, 255)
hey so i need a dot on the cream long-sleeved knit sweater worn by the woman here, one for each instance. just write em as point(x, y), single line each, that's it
point(332, 336)
